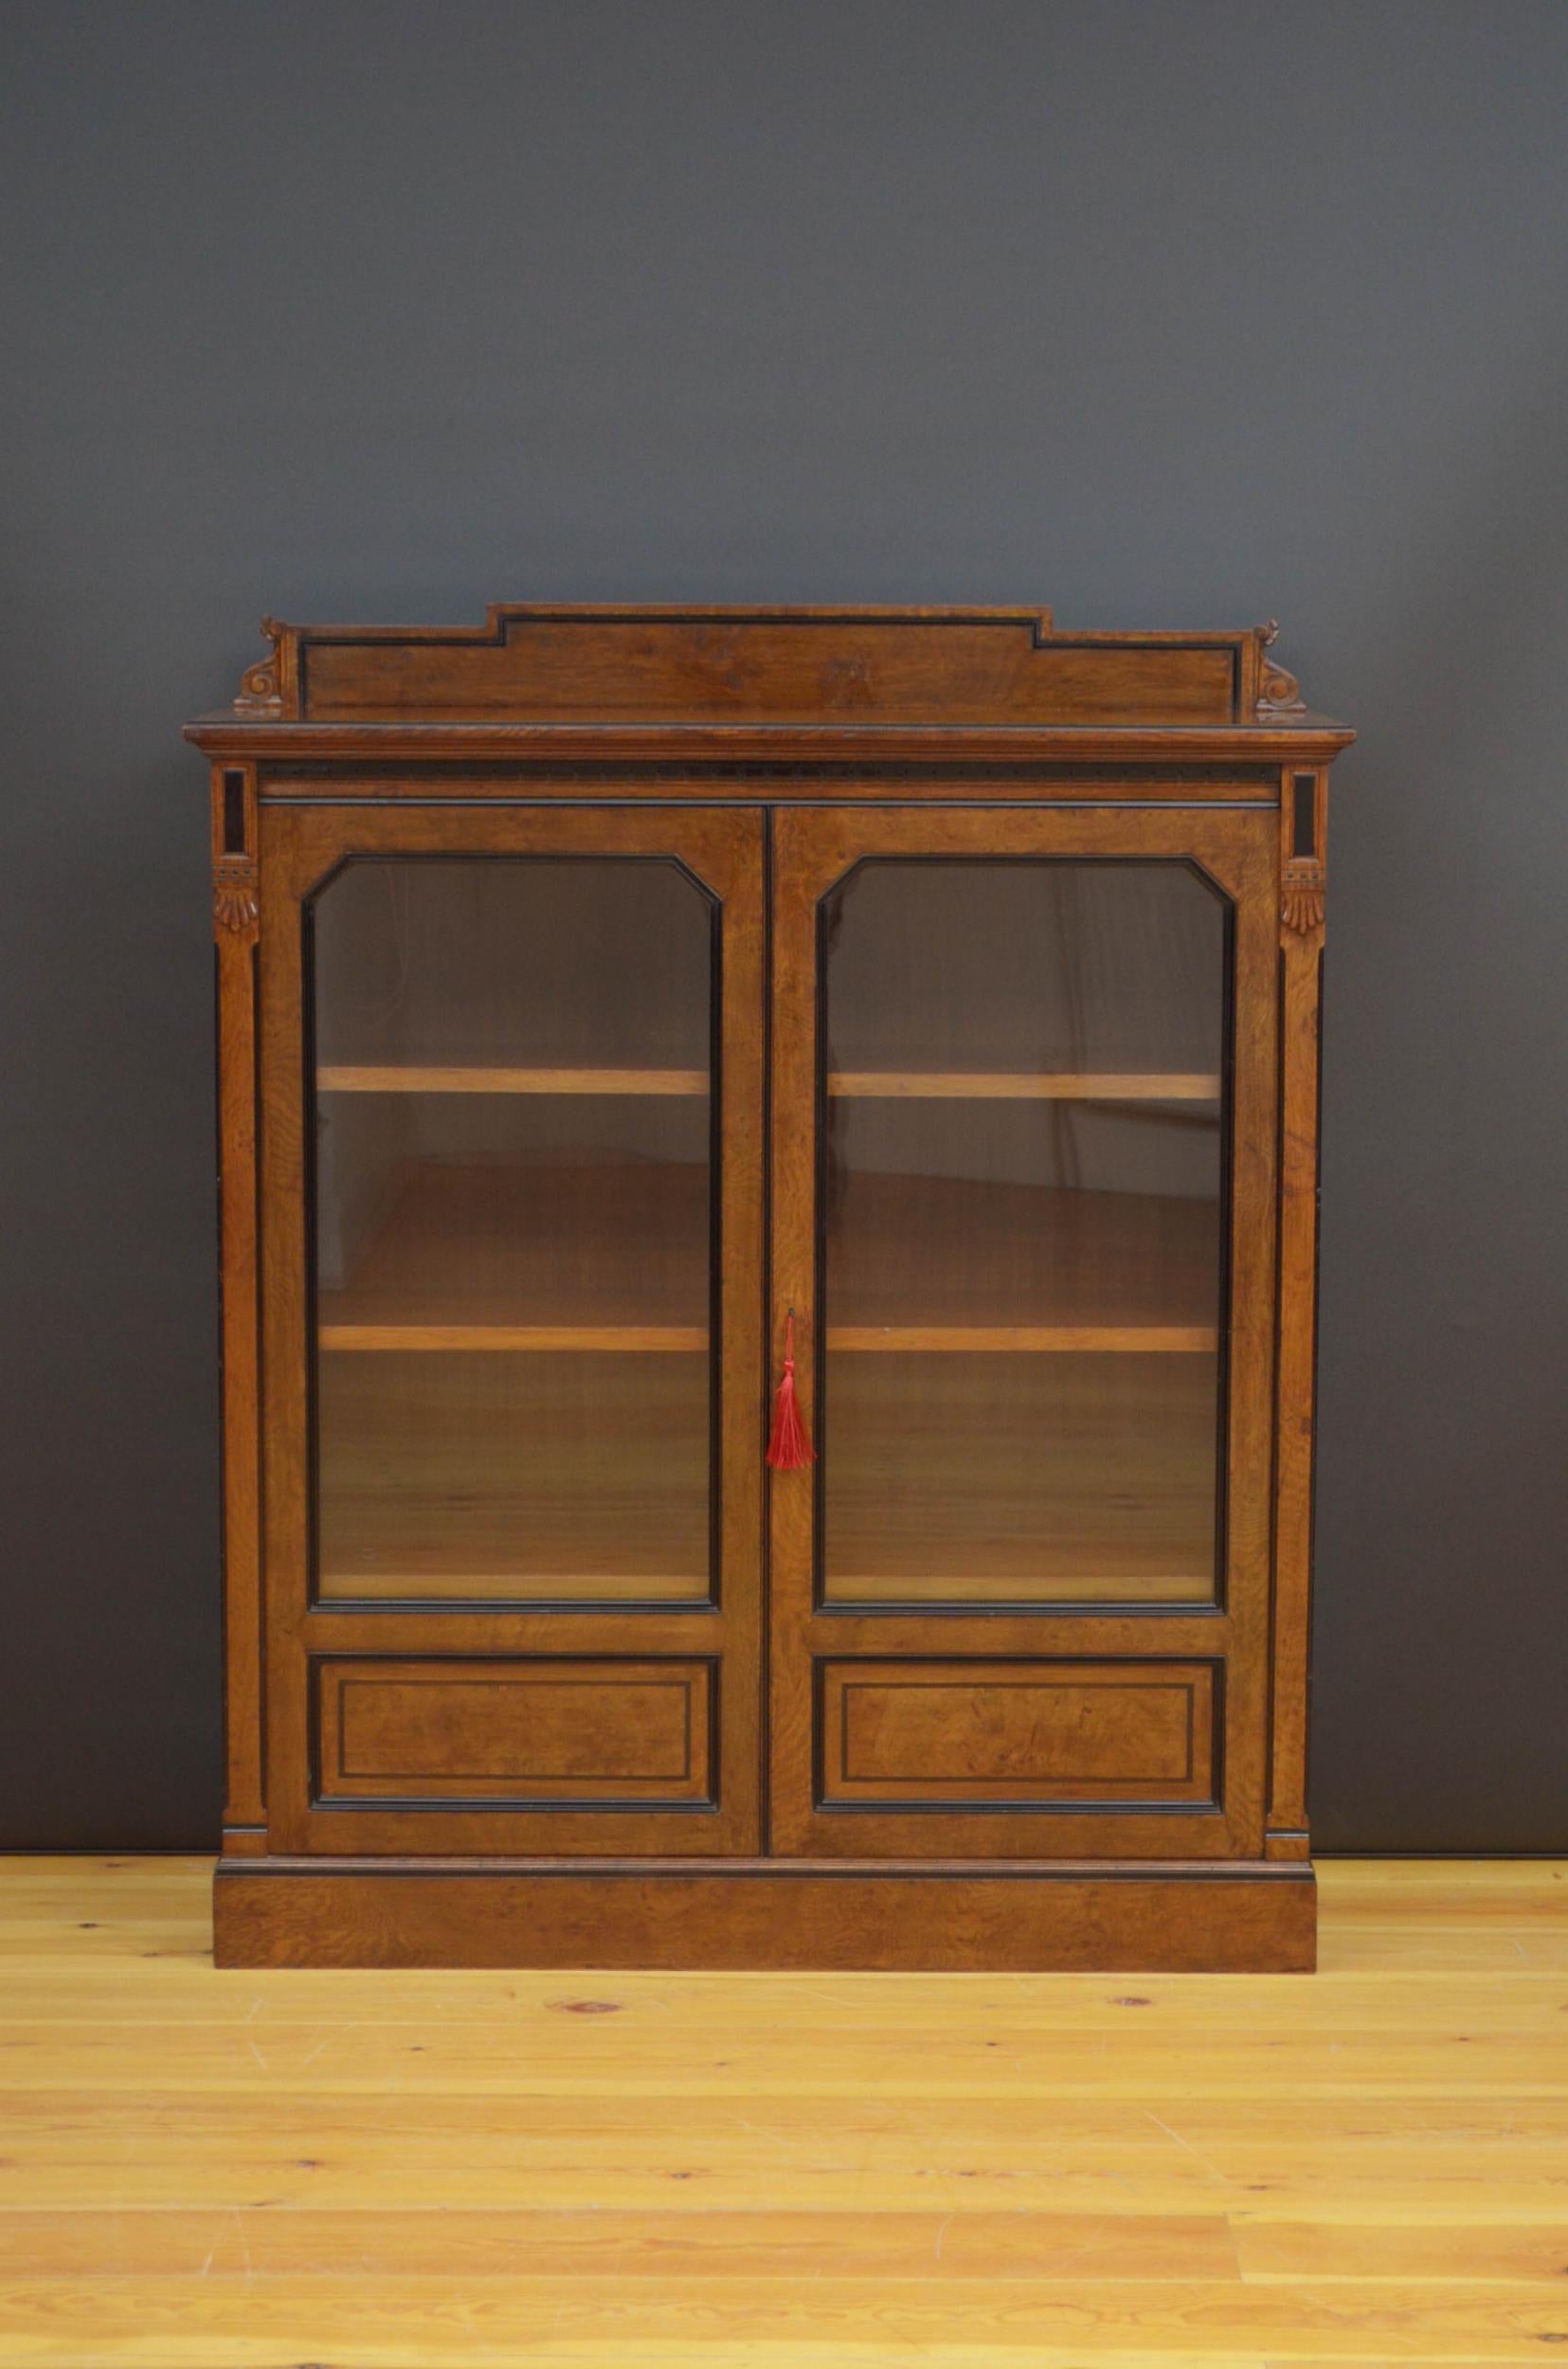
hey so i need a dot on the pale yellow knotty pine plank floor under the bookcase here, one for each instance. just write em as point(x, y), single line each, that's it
point(378, 2171)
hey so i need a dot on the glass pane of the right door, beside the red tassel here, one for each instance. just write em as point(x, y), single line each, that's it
point(1024, 1202)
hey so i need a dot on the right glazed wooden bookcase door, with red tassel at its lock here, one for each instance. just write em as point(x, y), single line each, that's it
point(1024, 1216)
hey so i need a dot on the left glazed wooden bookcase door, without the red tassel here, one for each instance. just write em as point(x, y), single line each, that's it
point(513, 1361)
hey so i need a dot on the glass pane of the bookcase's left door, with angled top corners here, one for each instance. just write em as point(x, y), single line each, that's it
point(513, 1231)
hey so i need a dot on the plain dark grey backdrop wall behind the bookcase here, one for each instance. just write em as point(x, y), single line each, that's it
point(1159, 312)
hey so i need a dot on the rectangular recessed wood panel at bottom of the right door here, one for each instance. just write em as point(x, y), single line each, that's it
point(1017, 1733)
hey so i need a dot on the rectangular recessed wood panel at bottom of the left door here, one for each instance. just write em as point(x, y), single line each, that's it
point(570, 1733)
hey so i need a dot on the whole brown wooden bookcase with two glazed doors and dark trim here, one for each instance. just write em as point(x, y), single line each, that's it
point(596, 991)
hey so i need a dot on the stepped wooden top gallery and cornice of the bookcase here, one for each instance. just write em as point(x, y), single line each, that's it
point(728, 686)
